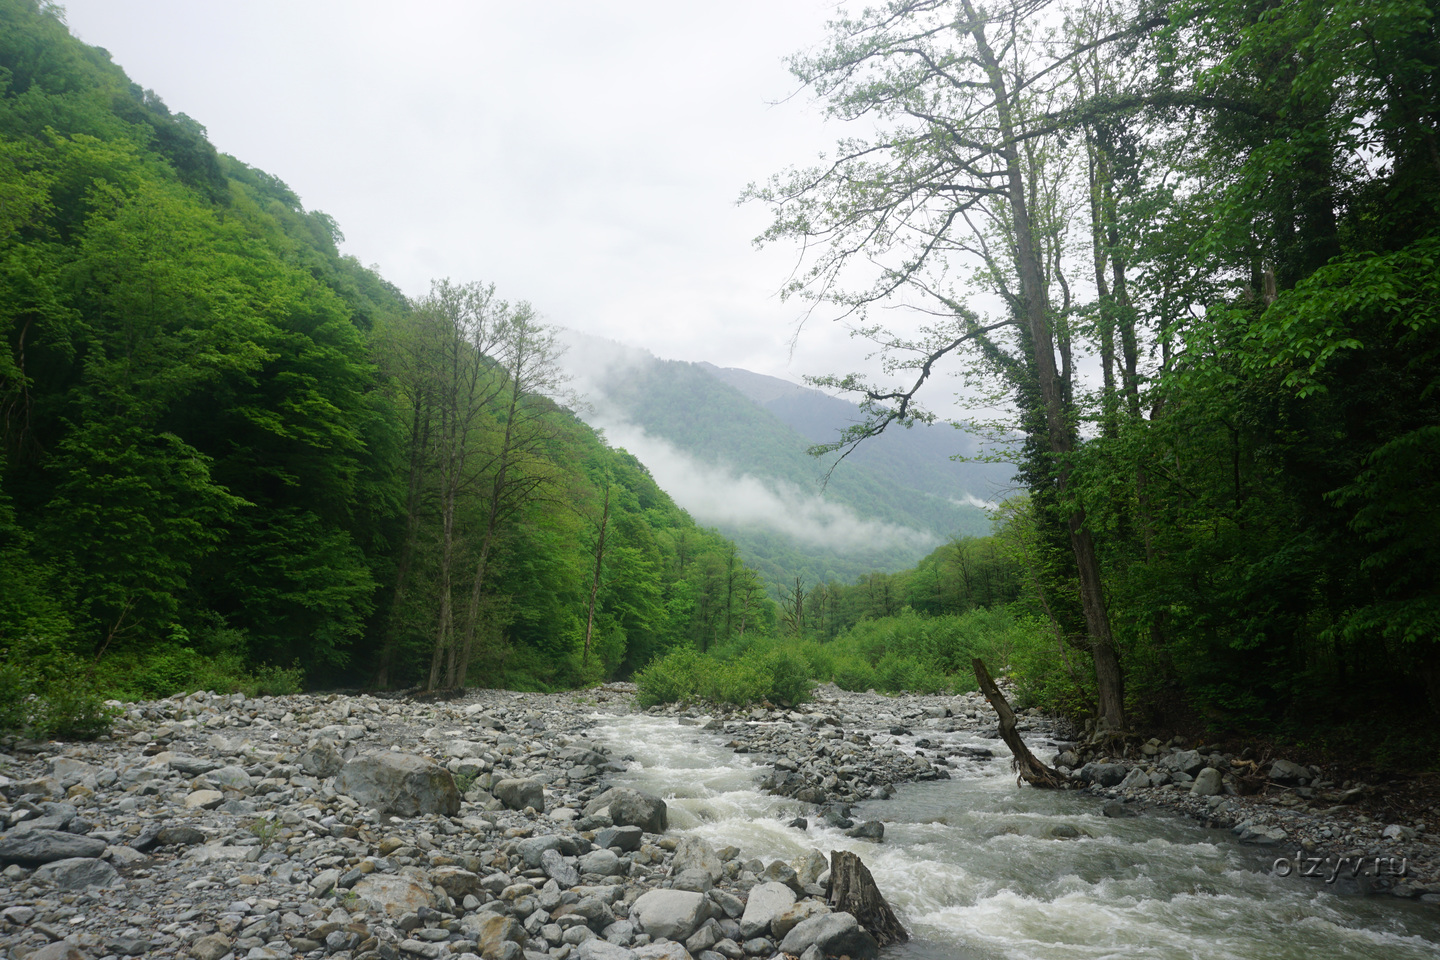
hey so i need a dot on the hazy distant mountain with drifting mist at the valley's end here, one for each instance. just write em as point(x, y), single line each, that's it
point(719, 445)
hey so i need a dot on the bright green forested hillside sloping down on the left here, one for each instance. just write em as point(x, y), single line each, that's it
point(234, 457)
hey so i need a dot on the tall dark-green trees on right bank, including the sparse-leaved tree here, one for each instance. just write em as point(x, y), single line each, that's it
point(1212, 235)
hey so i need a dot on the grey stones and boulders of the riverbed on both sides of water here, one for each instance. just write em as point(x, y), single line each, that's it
point(358, 828)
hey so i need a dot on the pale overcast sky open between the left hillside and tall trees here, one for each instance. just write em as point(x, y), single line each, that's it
point(582, 156)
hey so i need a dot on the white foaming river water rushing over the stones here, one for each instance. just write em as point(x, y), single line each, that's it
point(978, 869)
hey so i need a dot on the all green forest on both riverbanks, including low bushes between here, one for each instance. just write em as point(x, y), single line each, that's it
point(1190, 251)
